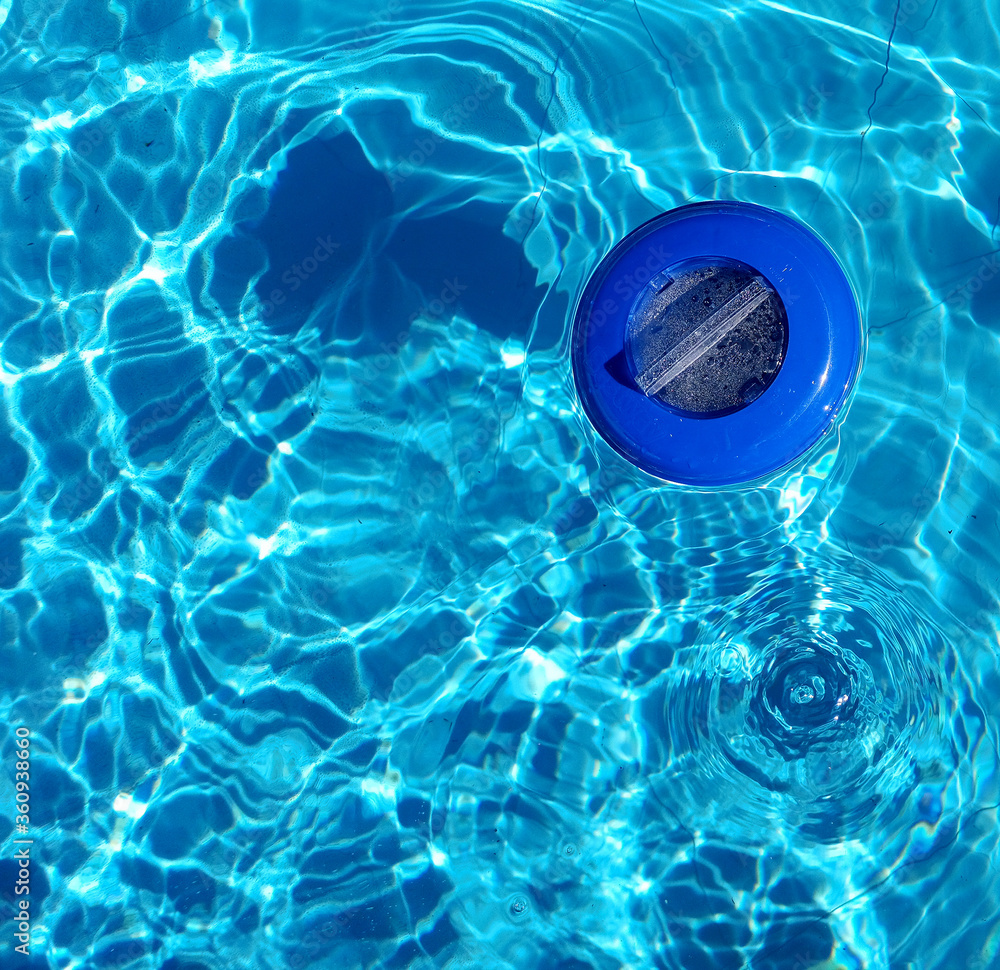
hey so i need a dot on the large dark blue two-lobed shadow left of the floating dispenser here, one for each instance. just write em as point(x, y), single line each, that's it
point(331, 247)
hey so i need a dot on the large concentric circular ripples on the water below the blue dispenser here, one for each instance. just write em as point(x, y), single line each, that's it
point(813, 713)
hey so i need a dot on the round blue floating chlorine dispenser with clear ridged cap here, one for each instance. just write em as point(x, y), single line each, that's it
point(717, 343)
